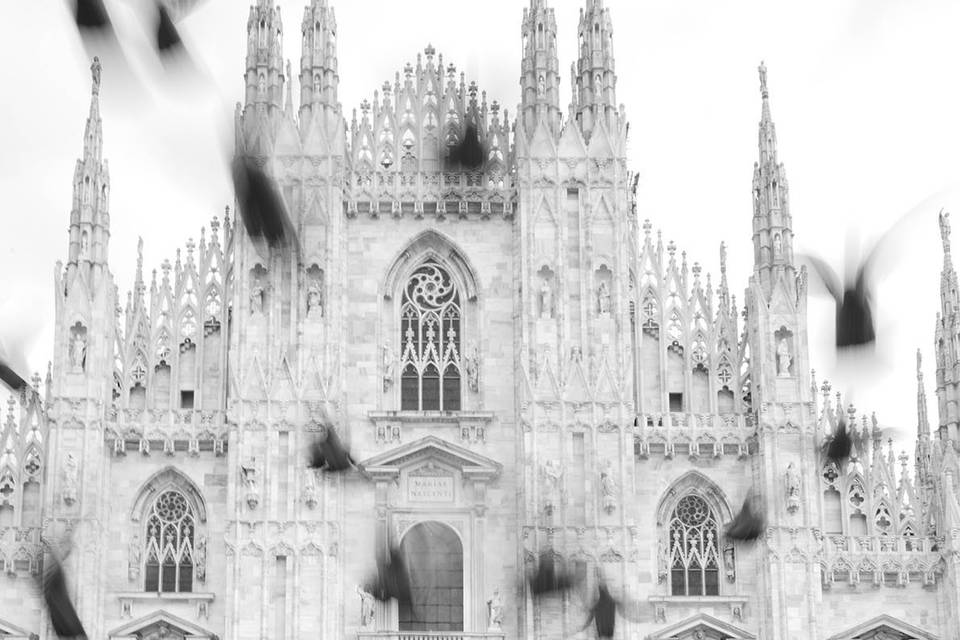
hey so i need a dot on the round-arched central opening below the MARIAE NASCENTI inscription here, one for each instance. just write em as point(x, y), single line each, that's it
point(434, 557)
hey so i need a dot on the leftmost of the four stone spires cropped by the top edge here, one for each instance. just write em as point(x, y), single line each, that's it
point(265, 74)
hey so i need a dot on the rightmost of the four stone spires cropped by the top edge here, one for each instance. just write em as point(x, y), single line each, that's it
point(595, 80)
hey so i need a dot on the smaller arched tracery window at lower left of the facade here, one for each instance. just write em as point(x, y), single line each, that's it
point(170, 533)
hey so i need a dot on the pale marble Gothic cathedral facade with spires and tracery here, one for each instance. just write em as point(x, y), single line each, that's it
point(518, 363)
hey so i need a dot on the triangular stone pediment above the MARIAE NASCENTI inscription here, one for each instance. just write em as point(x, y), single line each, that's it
point(431, 448)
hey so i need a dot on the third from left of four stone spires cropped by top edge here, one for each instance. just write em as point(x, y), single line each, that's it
point(540, 69)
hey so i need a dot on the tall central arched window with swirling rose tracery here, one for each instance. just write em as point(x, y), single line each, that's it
point(430, 328)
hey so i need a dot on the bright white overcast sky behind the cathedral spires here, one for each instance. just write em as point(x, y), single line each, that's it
point(864, 94)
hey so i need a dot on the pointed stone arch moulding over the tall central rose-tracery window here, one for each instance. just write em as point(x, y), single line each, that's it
point(431, 244)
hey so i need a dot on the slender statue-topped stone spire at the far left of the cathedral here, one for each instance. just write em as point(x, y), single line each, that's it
point(89, 216)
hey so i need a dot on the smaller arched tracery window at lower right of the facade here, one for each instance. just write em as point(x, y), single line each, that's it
point(694, 549)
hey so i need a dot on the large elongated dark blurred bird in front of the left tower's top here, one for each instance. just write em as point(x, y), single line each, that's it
point(261, 206)
